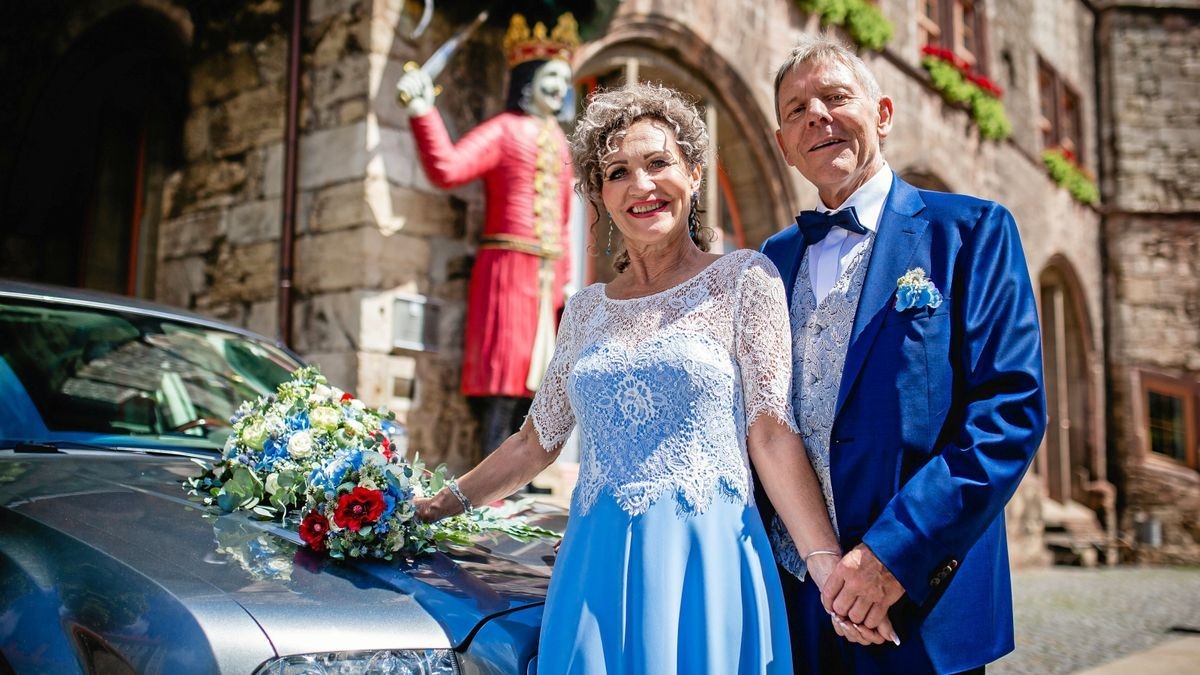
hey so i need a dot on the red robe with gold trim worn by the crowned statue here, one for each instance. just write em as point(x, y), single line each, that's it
point(523, 260)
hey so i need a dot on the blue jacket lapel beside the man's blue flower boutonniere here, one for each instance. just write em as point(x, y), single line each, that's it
point(899, 234)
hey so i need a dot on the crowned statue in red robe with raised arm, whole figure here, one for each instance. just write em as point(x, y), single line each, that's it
point(524, 264)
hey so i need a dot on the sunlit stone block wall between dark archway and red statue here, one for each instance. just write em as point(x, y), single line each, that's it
point(369, 226)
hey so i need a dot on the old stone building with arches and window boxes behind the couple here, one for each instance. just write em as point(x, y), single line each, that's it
point(148, 151)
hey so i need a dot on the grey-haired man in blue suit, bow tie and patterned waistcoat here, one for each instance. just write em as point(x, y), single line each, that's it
point(917, 387)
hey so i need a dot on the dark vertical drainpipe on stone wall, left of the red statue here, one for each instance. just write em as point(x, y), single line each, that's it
point(291, 162)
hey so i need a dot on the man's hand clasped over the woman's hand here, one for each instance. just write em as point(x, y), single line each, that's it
point(861, 589)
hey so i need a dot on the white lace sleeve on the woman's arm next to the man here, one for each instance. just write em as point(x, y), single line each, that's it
point(764, 343)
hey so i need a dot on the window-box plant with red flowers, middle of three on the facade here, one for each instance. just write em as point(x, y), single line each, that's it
point(961, 86)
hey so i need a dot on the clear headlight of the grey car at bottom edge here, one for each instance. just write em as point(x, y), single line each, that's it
point(385, 662)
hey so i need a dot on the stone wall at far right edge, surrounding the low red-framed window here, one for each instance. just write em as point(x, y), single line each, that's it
point(1151, 81)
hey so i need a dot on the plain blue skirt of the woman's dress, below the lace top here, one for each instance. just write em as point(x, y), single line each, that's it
point(665, 593)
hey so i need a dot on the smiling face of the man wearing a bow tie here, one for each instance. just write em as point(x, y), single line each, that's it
point(831, 130)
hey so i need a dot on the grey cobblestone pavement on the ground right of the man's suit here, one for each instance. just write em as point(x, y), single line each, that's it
point(1070, 619)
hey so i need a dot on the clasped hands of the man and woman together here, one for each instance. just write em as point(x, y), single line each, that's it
point(857, 594)
